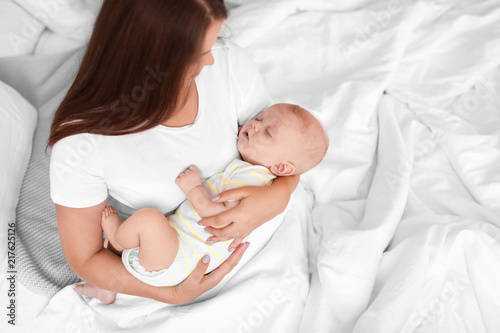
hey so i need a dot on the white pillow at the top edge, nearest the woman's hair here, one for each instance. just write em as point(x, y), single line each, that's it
point(69, 18)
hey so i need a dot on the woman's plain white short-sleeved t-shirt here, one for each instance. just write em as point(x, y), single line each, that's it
point(139, 170)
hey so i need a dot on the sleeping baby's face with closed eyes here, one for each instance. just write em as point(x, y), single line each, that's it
point(271, 138)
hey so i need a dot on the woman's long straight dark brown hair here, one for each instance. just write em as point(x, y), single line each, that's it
point(131, 76)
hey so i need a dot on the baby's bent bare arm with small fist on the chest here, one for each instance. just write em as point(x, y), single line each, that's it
point(190, 183)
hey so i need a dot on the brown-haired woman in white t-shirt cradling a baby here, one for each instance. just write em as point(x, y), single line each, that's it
point(141, 110)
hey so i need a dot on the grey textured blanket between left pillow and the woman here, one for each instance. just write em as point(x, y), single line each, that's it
point(43, 80)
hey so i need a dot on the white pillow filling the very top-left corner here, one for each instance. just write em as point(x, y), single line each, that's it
point(19, 30)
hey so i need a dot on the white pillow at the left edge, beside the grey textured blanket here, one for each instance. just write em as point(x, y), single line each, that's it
point(19, 119)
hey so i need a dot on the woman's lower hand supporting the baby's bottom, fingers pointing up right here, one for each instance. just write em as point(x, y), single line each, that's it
point(197, 283)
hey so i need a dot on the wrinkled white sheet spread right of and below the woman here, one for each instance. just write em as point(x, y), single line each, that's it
point(410, 93)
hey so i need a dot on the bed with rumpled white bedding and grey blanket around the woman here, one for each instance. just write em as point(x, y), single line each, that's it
point(397, 230)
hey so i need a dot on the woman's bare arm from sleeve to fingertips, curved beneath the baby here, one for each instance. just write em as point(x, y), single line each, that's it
point(81, 239)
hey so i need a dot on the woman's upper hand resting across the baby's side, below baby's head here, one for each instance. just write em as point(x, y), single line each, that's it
point(258, 204)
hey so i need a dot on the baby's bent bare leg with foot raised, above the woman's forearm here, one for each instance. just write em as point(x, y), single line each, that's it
point(149, 230)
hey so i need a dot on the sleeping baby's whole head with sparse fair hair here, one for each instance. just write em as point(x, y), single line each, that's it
point(285, 138)
